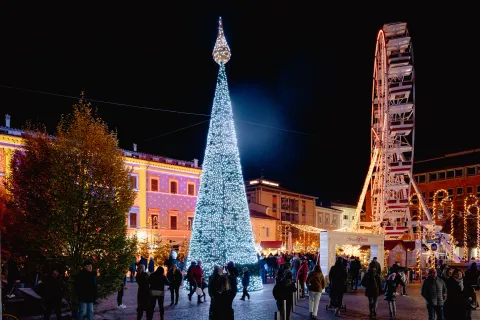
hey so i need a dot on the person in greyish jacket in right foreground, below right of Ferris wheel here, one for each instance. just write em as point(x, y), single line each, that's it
point(434, 291)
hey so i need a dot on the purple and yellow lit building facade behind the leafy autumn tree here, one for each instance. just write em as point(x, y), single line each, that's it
point(166, 191)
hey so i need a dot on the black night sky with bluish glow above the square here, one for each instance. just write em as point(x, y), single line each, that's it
point(300, 67)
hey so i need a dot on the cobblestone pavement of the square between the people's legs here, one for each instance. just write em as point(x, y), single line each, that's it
point(262, 306)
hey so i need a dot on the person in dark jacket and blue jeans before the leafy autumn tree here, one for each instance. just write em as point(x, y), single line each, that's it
point(86, 289)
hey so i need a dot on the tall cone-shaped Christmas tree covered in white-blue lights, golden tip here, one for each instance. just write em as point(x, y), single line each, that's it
point(222, 230)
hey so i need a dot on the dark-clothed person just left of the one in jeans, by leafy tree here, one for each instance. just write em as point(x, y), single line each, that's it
point(52, 288)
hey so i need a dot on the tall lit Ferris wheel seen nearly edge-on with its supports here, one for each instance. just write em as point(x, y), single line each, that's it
point(389, 179)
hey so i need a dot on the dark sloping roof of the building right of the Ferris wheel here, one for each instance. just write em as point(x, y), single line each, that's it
point(448, 161)
